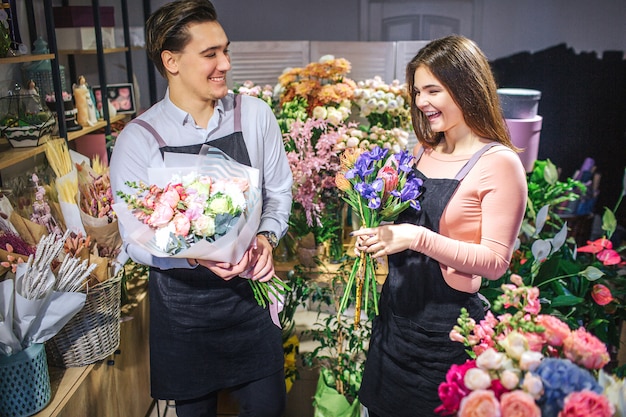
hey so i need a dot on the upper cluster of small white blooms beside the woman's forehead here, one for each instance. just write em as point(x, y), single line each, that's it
point(375, 96)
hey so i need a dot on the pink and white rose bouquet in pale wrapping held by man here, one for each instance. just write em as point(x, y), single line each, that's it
point(210, 211)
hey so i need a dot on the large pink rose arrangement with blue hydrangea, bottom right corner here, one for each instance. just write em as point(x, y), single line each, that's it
point(524, 363)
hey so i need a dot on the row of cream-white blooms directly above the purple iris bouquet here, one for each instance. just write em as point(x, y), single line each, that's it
point(395, 139)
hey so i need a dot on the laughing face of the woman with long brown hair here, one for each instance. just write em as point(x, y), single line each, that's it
point(434, 100)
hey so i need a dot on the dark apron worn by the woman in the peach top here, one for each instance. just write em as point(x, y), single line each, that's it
point(410, 349)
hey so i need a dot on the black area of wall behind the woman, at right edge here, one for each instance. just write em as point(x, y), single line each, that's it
point(583, 105)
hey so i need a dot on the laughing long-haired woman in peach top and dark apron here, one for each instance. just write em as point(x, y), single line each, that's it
point(472, 207)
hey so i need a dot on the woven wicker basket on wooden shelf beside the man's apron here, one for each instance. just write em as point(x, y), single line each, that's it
point(94, 332)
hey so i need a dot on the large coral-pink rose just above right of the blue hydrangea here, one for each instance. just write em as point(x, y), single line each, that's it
point(583, 348)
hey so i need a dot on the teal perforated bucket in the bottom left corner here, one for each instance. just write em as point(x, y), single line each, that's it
point(24, 382)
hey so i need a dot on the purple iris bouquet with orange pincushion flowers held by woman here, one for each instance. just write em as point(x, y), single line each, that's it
point(378, 186)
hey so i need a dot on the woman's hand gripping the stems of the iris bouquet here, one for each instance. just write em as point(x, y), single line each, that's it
point(385, 240)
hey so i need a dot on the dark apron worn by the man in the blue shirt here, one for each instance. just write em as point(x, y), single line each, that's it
point(206, 333)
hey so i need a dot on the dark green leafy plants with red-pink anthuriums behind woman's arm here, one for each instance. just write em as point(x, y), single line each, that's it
point(581, 286)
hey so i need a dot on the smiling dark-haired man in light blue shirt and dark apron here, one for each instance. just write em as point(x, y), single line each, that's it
point(207, 332)
